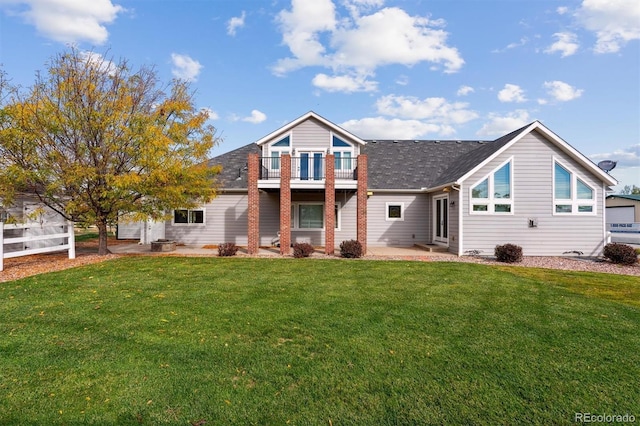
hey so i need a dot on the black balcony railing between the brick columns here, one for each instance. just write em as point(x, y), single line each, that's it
point(309, 167)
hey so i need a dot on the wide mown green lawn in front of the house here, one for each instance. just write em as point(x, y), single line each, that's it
point(180, 341)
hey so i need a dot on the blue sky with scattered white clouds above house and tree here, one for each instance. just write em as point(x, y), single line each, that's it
point(458, 69)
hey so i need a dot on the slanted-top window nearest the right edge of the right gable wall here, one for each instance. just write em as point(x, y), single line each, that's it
point(571, 195)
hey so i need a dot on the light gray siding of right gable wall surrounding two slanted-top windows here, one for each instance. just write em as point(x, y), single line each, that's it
point(532, 172)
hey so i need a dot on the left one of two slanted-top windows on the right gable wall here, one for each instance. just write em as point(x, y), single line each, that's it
point(494, 193)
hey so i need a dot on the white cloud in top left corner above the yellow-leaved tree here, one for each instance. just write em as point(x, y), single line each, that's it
point(71, 21)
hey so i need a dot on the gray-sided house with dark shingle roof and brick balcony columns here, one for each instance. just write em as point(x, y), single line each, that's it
point(313, 181)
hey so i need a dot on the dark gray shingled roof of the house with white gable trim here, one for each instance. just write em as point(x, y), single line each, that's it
point(408, 164)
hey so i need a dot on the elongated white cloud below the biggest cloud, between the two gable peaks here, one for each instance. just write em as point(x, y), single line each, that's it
point(437, 110)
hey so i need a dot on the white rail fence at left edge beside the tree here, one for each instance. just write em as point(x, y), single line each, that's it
point(40, 237)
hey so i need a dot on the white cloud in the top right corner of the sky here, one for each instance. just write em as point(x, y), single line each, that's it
point(614, 22)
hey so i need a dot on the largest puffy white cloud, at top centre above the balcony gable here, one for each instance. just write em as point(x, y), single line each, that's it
point(318, 37)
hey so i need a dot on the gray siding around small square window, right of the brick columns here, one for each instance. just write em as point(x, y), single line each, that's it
point(413, 229)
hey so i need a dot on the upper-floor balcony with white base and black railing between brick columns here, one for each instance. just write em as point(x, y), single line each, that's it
point(309, 171)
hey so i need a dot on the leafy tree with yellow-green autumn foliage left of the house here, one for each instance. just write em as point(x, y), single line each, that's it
point(93, 140)
